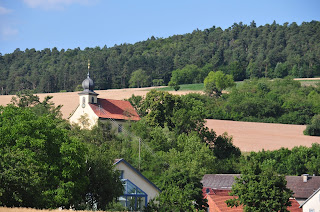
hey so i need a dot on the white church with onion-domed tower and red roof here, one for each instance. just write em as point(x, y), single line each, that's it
point(92, 109)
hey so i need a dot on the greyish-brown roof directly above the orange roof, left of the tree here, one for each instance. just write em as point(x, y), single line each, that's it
point(219, 181)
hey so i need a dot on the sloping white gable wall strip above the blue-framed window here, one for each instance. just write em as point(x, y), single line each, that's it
point(135, 178)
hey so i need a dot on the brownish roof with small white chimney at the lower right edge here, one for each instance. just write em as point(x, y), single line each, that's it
point(303, 190)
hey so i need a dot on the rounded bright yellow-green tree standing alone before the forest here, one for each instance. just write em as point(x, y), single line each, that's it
point(215, 82)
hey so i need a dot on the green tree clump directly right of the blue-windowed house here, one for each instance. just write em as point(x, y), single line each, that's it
point(180, 182)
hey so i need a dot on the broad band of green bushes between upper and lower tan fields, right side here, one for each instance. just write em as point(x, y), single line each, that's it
point(262, 100)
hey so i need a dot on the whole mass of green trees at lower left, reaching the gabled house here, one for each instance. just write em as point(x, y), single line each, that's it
point(44, 163)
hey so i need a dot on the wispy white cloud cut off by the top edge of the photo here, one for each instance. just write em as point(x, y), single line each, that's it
point(54, 4)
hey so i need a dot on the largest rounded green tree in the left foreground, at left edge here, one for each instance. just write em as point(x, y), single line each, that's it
point(41, 165)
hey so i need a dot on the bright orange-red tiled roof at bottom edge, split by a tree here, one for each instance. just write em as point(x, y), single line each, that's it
point(217, 202)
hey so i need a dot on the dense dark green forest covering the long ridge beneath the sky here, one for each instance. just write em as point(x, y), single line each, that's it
point(244, 51)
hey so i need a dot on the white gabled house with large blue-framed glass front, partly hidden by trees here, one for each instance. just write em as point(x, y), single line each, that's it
point(138, 190)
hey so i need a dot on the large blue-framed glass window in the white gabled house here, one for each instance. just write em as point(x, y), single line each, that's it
point(134, 199)
